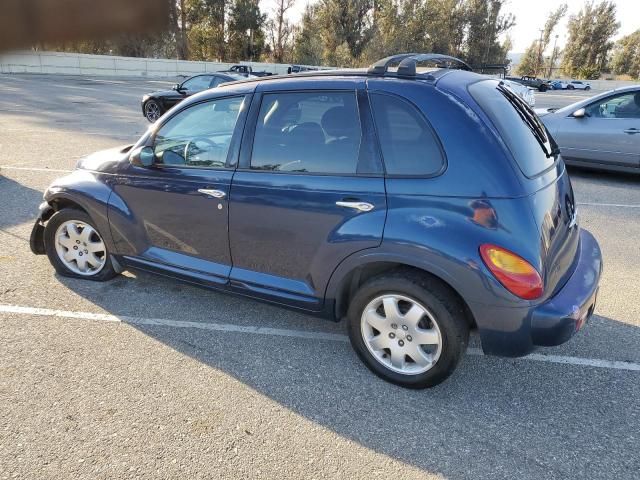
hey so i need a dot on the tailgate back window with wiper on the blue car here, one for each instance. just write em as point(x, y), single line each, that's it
point(525, 136)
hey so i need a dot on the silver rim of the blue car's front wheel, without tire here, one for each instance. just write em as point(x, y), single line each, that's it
point(80, 248)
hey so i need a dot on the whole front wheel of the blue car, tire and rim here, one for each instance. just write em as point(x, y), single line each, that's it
point(76, 248)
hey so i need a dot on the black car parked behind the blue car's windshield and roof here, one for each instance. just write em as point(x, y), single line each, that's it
point(156, 103)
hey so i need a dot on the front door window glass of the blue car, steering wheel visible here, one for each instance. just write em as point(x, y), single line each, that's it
point(198, 136)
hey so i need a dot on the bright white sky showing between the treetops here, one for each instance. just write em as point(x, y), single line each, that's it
point(530, 17)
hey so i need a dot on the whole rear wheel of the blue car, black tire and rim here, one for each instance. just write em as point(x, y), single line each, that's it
point(409, 329)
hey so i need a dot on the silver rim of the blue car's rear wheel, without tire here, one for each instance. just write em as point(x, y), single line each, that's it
point(401, 334)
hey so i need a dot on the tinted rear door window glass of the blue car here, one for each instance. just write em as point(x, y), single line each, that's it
point(312, 132)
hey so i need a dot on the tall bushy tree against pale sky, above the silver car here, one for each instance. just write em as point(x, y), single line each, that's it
point(589, 44)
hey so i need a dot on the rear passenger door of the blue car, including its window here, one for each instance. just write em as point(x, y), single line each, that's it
point(309, 192)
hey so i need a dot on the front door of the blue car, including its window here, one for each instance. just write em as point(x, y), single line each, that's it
point(173, 215)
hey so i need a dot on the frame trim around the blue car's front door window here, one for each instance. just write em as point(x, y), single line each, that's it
point(234, 146)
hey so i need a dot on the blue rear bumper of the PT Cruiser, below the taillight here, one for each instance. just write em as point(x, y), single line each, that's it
point(517, 331)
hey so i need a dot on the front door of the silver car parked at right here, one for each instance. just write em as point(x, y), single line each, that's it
point(609, 132)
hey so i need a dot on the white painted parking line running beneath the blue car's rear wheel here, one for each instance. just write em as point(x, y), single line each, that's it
point(281, 332)
